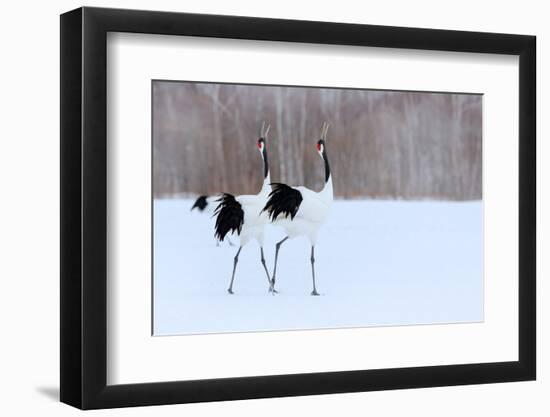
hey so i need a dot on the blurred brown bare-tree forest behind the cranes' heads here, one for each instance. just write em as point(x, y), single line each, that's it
point(381, 144)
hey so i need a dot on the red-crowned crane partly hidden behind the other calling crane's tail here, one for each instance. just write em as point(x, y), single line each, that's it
point(242, 214)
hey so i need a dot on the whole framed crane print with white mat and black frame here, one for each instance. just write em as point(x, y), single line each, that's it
point(257, 207)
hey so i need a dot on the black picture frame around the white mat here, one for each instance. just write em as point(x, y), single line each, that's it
point(84, 207)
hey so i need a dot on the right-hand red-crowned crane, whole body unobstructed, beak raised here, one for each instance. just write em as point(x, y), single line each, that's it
point(301, 211)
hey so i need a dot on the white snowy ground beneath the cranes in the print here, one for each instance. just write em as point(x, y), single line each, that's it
point(378, 263)
